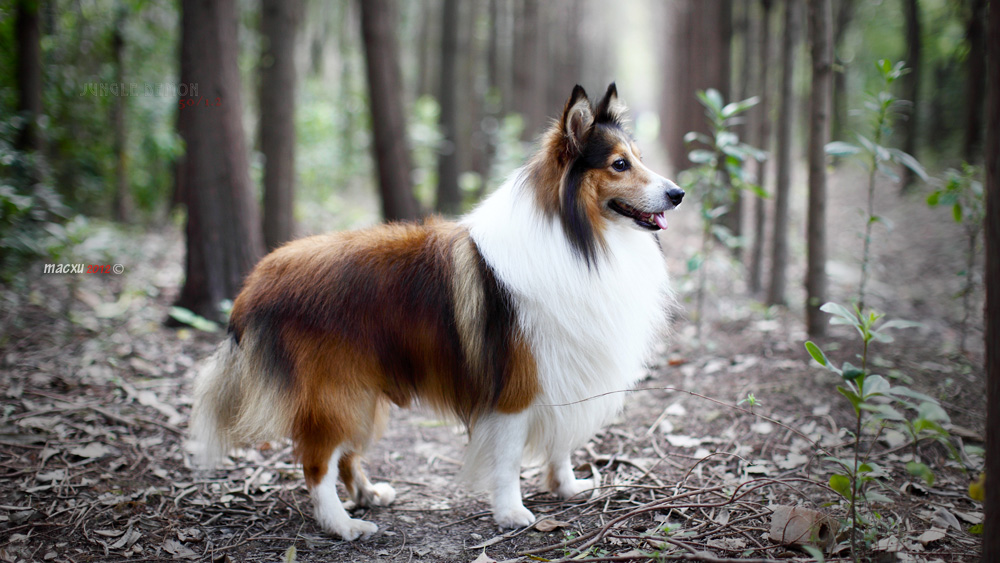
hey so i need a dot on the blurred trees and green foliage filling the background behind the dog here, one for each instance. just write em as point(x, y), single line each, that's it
point(248, 123)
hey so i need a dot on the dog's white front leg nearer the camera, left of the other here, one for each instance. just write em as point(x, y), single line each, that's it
point(500, 438)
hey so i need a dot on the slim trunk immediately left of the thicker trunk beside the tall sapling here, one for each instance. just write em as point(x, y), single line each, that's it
point(779, 238)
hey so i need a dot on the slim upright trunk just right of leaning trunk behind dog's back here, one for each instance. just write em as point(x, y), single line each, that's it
point(449, 200)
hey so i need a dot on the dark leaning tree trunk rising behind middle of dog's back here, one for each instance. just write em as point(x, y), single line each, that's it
point(392, 151)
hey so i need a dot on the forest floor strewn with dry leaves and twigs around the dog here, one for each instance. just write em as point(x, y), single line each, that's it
point(96, 394)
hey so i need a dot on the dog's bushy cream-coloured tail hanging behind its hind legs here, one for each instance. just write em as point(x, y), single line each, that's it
point(237, 402)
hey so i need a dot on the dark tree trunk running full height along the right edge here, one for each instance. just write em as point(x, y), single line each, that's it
point(991, 532)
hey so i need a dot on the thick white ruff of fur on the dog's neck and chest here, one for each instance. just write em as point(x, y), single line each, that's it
point(590, 328)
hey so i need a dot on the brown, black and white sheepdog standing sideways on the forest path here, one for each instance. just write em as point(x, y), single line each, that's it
point(522, 319)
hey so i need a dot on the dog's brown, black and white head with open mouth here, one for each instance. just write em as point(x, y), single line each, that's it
point(590, 173)
